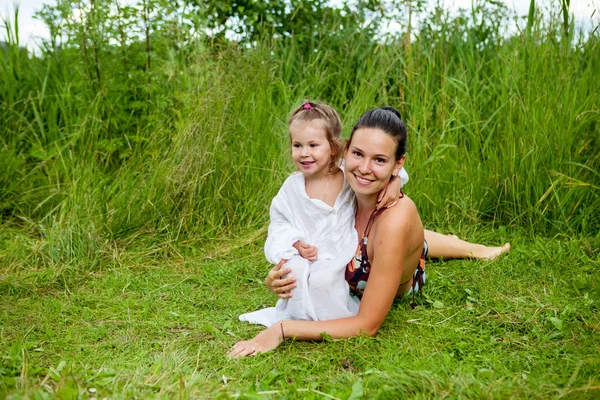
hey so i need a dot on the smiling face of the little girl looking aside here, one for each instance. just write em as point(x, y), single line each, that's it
point(311, 150)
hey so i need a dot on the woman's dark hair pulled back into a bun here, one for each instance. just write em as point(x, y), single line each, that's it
point(389, 120)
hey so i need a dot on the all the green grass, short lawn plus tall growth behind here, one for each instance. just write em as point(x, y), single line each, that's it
point(136, 174)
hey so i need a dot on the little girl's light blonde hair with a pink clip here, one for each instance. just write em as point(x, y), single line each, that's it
point(311, 111)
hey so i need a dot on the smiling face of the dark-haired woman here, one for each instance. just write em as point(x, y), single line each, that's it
point(370, 161)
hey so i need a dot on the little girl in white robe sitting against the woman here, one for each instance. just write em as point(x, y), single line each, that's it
point(312, 222)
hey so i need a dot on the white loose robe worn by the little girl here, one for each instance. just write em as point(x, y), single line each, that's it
point(321, 291)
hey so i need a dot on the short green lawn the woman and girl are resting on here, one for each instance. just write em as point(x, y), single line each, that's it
point(156, 324)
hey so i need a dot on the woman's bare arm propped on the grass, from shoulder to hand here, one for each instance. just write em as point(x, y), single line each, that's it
point(396, 247)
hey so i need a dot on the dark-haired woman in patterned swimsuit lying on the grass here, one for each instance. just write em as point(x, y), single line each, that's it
point(394, 249)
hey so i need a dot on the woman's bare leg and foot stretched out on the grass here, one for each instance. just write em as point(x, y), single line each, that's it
point(450, 246)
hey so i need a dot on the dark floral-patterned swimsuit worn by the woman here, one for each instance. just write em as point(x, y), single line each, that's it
point(359, 268)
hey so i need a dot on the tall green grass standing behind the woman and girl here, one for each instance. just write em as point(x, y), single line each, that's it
point(100, 152)
